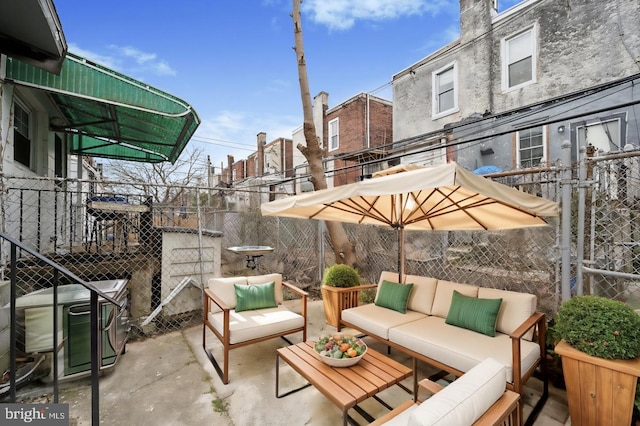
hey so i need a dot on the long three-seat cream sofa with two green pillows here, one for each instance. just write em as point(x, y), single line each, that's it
point(455, 326)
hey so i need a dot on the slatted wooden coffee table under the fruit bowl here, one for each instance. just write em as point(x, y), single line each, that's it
point(344, 386)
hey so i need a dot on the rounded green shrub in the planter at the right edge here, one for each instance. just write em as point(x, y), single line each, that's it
point(600, 327)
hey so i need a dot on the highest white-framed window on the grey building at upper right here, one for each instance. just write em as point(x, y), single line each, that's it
point(519, 59)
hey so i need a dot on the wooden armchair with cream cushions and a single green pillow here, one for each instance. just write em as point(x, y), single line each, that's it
point(244, 310)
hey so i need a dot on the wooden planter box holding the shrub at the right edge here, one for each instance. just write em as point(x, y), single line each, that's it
point(599, 391)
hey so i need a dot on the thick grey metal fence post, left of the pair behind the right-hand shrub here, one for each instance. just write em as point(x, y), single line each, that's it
point(565, 243)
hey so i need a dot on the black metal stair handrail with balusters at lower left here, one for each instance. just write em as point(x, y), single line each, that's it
point(58, 270)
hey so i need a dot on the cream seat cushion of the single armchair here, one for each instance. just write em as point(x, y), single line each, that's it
point(249, 325)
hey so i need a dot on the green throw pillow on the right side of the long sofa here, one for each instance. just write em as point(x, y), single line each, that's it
point(474, 313)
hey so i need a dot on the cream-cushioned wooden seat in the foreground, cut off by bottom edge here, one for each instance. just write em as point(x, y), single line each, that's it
point(477, 398)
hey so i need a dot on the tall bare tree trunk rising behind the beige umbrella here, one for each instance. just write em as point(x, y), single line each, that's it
point(343, 249)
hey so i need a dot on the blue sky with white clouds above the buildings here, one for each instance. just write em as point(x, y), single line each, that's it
point(233, 60)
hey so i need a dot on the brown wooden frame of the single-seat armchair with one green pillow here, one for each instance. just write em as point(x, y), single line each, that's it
point(211, 297)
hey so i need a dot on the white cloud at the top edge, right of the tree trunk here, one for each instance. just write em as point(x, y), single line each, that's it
point(342, 15)
